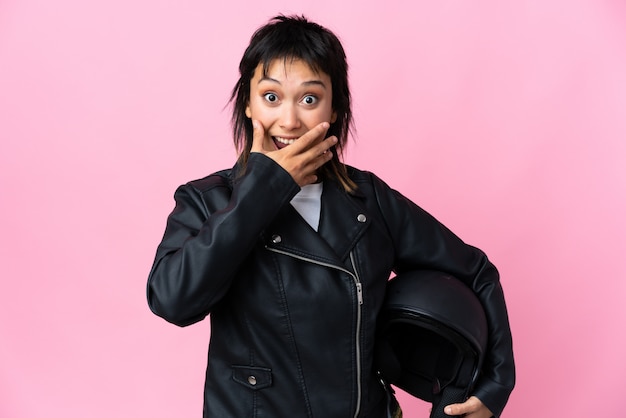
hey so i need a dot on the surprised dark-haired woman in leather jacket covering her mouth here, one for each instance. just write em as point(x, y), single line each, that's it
point(290, 250)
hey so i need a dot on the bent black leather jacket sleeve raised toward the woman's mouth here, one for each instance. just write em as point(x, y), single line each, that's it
point(208, 236)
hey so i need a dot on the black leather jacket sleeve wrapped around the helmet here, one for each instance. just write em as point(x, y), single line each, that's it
point(423, 242)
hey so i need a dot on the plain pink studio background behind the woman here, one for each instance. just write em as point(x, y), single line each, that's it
point(506, 120)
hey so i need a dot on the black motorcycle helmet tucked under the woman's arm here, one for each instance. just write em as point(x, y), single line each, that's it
point(431, 337)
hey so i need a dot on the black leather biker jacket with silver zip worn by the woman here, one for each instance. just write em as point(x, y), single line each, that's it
point(293, 312)
